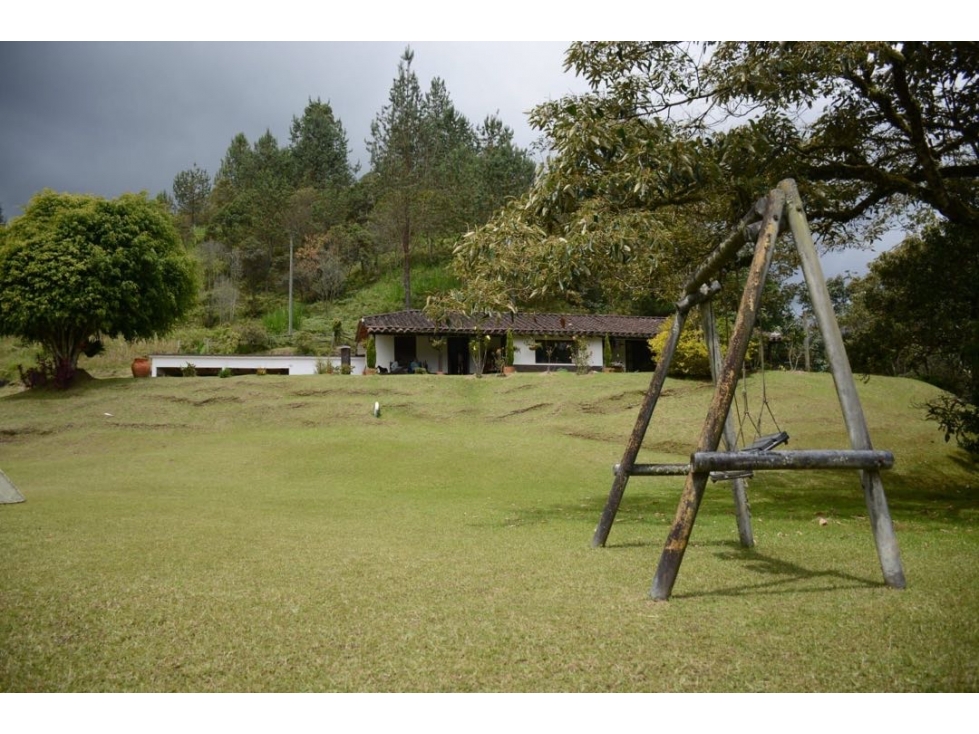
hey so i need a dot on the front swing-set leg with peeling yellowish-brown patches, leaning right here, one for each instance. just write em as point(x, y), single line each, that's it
point(693, 489)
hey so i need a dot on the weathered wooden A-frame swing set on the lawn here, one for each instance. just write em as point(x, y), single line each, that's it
point(768, 218)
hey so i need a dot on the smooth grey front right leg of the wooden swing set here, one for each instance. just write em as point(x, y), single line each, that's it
point(846, 389)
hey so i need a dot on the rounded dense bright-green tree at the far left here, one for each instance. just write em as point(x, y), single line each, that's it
point(77, 268)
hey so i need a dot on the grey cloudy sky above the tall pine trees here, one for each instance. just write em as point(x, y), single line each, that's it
point(106, 118)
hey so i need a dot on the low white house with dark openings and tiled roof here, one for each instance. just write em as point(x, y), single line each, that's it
point(542, 341)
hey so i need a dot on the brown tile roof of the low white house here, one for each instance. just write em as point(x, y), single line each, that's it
point(535, 324)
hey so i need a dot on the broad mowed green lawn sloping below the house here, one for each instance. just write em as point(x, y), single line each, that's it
point(269, 534)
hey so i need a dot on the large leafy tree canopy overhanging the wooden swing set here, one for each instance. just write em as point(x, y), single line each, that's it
point(677, 139)
